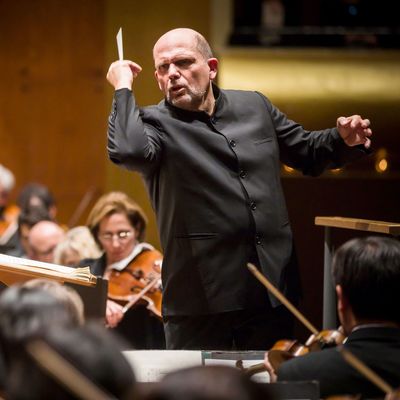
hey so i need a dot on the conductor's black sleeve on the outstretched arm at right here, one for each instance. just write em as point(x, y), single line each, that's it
point(310, 151)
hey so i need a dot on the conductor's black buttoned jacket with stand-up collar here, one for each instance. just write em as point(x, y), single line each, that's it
point(214, 183)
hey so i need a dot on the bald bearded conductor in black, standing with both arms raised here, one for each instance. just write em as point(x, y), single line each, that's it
point(210, 159)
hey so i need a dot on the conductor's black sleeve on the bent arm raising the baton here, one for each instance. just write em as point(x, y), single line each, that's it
point(133, 142)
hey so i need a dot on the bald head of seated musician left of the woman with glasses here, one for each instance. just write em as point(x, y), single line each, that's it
point(43, 239)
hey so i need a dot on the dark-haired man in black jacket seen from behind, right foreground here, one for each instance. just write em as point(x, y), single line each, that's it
point(366, 273)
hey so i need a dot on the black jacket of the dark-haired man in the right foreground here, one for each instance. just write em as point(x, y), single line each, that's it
point(377, 347)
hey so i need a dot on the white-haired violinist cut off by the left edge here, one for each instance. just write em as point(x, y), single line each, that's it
point(8, 213)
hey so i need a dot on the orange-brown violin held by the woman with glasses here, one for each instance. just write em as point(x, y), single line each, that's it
point(138, 283)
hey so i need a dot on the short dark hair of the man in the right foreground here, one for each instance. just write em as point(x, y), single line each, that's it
point(368, 270)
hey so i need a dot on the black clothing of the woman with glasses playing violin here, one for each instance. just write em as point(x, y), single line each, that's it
point(139, 328)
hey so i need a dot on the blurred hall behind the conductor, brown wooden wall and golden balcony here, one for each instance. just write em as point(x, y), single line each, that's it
point(316, 60)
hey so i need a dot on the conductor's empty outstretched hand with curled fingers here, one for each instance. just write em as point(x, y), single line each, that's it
point(354, 130)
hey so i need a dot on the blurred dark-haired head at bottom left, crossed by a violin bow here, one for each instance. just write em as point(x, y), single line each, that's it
point(91, 350)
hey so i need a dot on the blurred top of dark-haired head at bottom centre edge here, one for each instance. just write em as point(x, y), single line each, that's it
point(207, 383)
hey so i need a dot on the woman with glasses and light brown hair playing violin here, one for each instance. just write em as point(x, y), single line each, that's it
point(118, 225)
